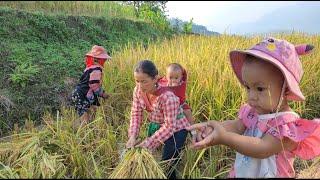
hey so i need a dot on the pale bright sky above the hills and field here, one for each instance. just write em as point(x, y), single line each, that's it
point(219, 15)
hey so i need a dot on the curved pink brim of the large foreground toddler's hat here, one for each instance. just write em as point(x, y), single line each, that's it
point(237, 58)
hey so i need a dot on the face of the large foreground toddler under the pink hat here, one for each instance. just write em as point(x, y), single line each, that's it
point(263, 82)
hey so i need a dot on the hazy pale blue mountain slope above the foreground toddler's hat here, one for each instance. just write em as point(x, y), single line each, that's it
point(302, 17)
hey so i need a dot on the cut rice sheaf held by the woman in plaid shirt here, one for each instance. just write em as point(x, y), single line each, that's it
point(138, 163)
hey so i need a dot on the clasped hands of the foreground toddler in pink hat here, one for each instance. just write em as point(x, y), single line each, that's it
point(209, 133)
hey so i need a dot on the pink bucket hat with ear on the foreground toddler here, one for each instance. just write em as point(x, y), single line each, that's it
point(280, 53)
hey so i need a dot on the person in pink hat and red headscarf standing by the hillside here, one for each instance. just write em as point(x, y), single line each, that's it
point(89, 88)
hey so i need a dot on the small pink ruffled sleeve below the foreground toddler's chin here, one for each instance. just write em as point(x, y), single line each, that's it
point(247, 115)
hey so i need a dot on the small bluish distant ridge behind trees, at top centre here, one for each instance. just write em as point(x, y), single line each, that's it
point(196, 29)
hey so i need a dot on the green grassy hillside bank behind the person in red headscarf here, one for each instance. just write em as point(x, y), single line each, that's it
point(41, 57)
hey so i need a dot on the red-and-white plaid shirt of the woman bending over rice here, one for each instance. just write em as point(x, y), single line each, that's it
point(164, 111)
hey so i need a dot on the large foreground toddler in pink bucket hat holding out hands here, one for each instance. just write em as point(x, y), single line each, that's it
point(267, 134)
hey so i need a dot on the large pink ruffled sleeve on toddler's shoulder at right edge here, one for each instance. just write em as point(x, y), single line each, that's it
point(305, 132)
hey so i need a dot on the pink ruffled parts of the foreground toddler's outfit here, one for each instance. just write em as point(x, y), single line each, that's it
point(284, 124)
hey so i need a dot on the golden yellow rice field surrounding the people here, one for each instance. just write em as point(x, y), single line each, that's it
point(55, 150)
